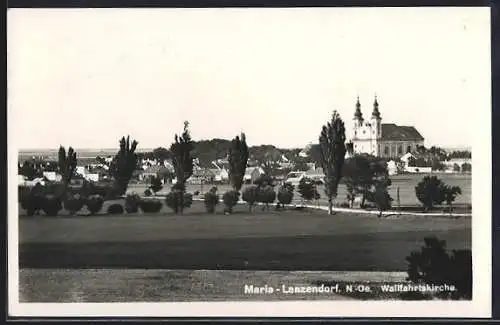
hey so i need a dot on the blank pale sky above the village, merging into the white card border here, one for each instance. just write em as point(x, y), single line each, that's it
point(86, 77)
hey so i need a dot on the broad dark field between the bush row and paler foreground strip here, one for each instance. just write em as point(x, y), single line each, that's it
point(263, 240)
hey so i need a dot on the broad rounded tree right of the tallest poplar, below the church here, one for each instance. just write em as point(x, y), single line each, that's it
point(361, 173)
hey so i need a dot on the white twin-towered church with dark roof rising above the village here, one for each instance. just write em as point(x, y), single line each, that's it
point(385, 140)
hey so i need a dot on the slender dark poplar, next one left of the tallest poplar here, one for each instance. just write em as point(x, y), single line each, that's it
point(238, 159)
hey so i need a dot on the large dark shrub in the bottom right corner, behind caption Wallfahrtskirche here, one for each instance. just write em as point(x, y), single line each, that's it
point(434, 266)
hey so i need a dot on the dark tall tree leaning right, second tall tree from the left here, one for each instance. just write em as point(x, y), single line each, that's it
point(123, 165)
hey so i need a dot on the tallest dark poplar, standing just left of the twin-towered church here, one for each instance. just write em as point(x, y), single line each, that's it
point(332, 155)
